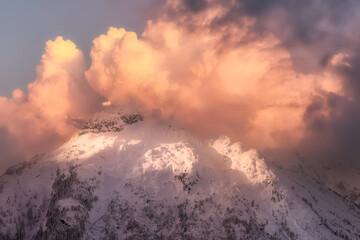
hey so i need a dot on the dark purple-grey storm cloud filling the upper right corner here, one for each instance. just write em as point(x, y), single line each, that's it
point(312, 30)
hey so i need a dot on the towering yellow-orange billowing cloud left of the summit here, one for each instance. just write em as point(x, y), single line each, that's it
point(56, 101)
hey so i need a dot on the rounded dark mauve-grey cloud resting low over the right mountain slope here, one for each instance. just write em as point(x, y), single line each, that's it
point(332, 137)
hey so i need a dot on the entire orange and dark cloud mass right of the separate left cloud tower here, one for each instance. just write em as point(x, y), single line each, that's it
point(276, 75)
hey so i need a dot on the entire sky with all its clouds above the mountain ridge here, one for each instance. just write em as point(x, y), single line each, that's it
point(280, 76)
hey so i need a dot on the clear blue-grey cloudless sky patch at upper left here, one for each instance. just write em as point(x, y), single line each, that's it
point(25, 27)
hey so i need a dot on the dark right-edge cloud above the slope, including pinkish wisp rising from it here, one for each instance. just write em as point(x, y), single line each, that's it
point(335, 135)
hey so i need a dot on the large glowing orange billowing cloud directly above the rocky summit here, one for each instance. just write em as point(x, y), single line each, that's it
point(248, 91)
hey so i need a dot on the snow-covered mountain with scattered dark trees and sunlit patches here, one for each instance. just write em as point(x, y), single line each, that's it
point(125, 177)
